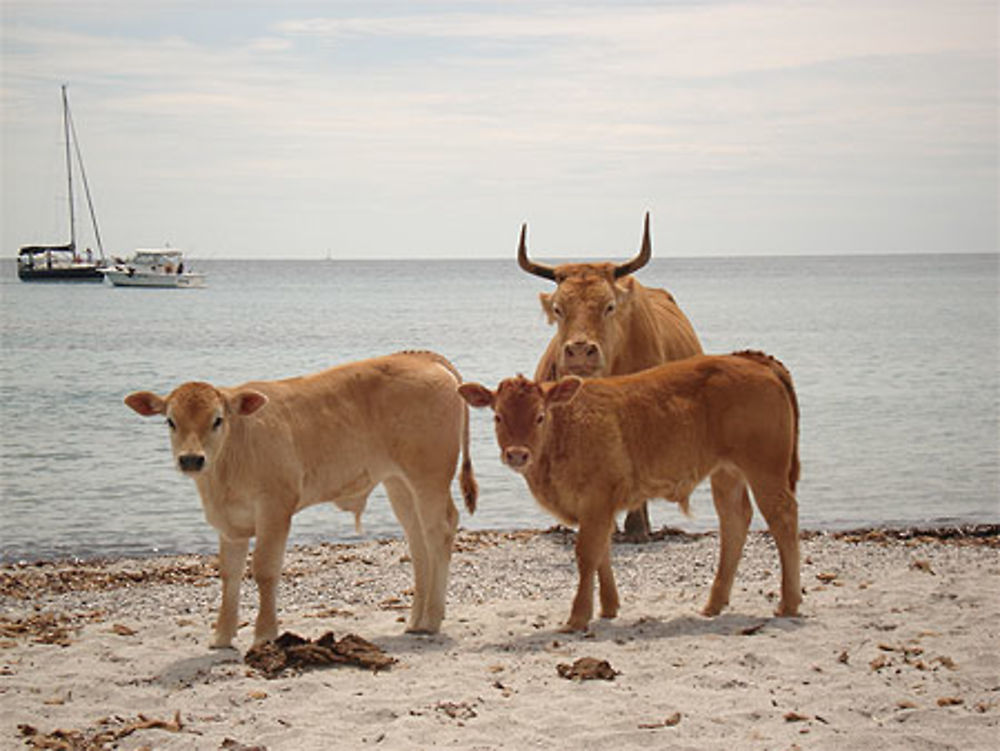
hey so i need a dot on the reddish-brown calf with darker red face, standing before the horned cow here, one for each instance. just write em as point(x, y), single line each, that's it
point(588, 449)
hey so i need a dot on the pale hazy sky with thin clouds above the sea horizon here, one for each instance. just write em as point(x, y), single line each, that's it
point(301, 129)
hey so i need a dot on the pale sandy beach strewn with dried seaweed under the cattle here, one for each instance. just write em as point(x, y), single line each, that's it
point(898, 647)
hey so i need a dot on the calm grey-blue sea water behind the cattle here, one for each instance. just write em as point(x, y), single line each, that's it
point(895, 360)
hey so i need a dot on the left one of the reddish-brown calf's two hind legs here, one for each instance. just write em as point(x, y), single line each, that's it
point(732, 504)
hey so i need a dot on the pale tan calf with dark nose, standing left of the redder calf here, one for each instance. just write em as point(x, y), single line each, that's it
point(260, 452)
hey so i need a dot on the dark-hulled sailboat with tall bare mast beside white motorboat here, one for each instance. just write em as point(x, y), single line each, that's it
point(64, 263)
